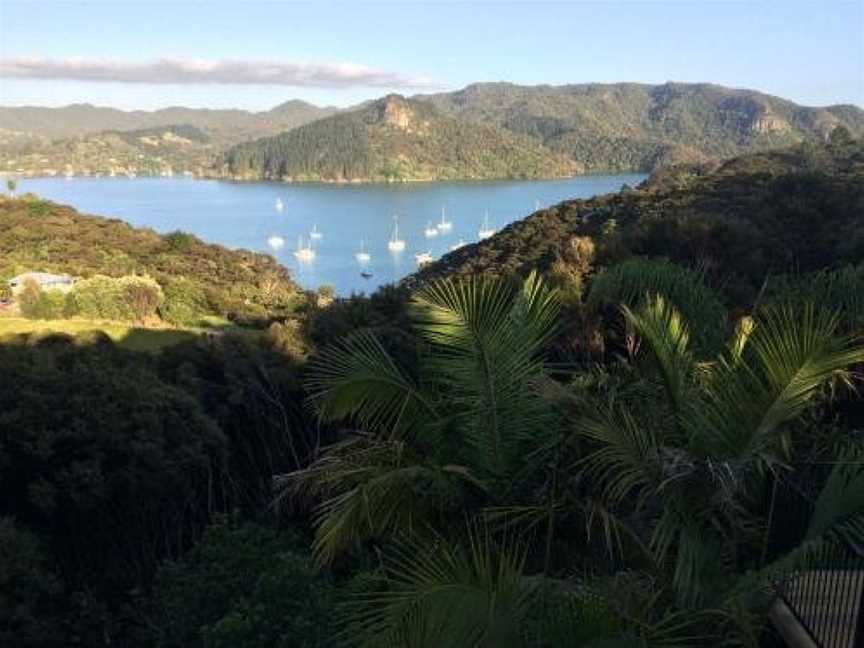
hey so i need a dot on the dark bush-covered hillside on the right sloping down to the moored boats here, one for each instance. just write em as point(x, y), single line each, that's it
point(798, 209)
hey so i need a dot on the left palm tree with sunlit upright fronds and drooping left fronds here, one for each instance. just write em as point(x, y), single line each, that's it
point(448, 437)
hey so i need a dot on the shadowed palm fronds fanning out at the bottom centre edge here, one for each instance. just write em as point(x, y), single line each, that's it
point(440, 593)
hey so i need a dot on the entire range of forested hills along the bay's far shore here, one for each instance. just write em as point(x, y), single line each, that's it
point(485, 130)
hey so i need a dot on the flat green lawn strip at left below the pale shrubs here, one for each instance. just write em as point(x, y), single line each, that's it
point(129, 337)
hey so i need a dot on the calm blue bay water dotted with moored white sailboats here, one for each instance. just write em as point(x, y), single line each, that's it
point(243, 215)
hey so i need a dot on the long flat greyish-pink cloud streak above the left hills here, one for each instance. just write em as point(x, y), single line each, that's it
point(194, 71)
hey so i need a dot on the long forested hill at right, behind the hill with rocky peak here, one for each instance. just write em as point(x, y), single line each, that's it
point(629, 126)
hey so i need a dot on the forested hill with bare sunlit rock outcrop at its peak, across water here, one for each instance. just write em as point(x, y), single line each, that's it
point(395, 139)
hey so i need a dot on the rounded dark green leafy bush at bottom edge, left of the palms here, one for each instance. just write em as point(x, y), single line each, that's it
point(243, 586)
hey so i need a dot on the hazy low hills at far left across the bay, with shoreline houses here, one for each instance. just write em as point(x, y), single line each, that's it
point(86, 140)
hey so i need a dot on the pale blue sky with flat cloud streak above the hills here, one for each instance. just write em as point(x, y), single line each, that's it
point(248, 54)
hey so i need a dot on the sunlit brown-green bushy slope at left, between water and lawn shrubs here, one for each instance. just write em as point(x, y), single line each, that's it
point(37, 235)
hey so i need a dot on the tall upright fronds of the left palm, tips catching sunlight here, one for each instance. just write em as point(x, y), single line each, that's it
point(486, 344)
